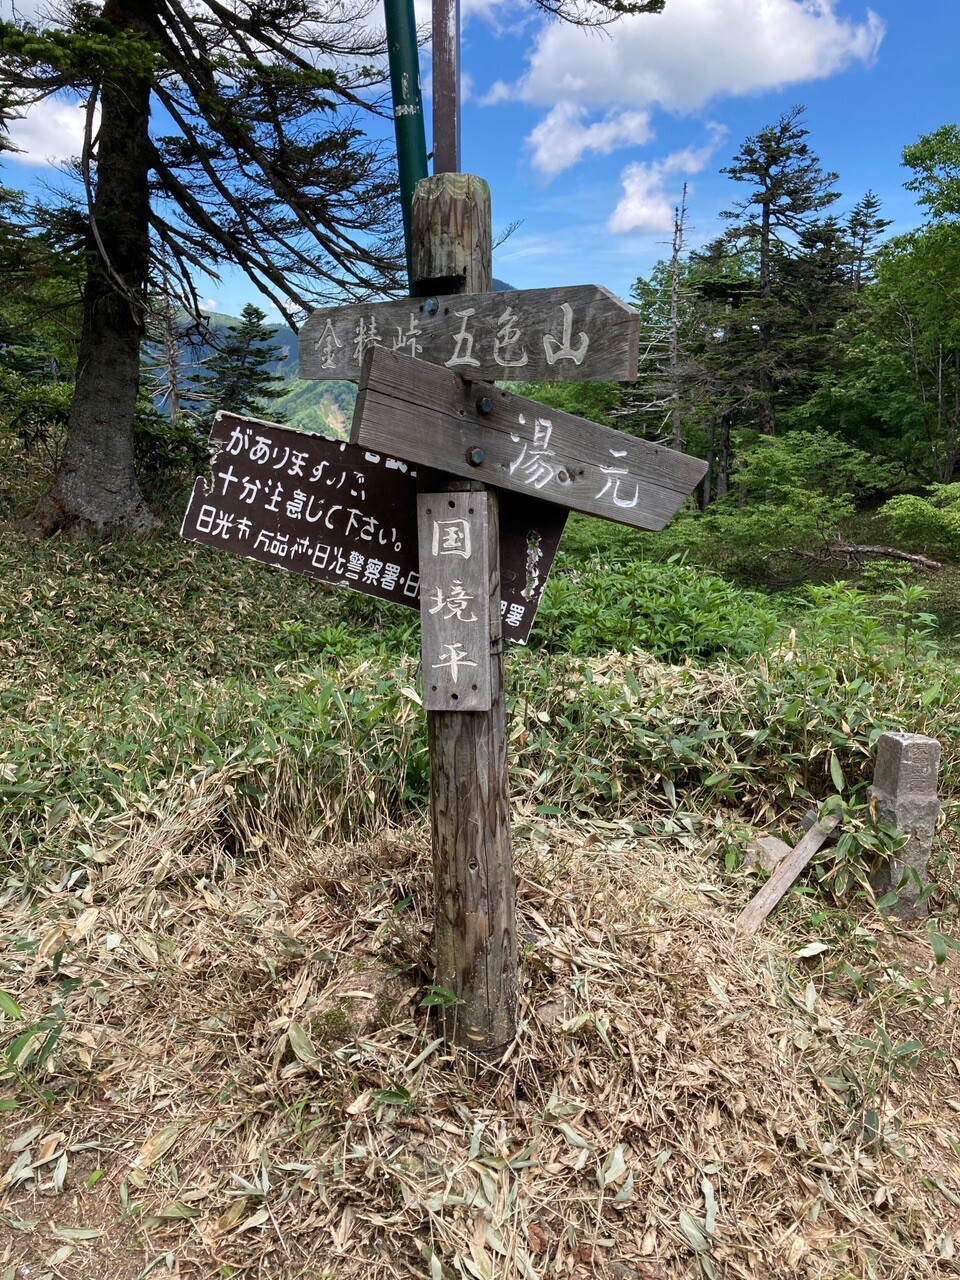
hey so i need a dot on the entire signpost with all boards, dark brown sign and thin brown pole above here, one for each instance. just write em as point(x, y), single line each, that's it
point(429, 417)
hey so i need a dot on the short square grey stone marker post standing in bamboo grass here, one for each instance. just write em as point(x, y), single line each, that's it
point(906, 794)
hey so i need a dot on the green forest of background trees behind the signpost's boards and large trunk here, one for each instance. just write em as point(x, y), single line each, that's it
point(806, 354)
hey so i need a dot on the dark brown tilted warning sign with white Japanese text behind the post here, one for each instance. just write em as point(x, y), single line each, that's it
point(348, 515)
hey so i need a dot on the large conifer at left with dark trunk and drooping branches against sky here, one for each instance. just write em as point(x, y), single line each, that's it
point(214, 134)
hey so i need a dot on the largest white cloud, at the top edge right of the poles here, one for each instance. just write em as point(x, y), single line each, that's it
point(693, 53)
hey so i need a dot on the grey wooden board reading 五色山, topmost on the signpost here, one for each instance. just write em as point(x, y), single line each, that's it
point(572, 335)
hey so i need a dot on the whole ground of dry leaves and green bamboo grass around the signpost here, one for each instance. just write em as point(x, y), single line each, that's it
point(214, 1055)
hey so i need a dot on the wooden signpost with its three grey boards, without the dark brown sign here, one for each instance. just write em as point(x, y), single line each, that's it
point(438, 413)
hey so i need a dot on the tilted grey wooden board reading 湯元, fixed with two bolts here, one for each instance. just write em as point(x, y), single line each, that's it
point(435, 418)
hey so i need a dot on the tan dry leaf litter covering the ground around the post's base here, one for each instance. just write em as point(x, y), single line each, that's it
point(248, 1086)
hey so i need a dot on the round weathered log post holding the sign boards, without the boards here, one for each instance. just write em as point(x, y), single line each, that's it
point(476, 915)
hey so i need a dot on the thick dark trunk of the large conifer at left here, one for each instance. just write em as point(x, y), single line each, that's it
point(97, 484)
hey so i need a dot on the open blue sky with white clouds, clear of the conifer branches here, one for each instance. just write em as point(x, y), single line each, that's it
point(588, 138)
